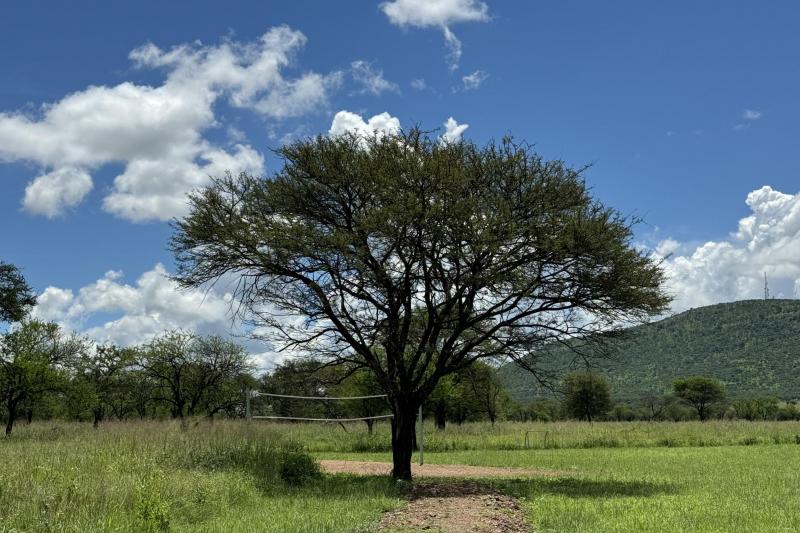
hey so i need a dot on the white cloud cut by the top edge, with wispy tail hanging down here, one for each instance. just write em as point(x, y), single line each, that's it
point(437, 13)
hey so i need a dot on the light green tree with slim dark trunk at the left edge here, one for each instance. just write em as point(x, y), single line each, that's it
point(33, 359)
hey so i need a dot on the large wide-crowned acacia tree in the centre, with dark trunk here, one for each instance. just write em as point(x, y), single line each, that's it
point(414, 258)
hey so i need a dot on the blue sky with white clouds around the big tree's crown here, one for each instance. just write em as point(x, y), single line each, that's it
point(687, 113)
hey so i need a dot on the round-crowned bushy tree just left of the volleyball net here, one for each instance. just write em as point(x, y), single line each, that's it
point(188, 370)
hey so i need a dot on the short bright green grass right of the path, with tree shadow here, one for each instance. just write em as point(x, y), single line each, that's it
point(742, 488)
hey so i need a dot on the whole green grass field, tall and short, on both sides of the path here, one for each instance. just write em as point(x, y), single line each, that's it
point(229, 476)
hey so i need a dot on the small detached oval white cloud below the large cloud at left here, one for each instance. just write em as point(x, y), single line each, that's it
point(51, 194)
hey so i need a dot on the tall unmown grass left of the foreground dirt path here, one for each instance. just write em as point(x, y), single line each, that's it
point(155, 476)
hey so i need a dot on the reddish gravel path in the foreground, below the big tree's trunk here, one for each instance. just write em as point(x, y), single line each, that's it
point(456, 507)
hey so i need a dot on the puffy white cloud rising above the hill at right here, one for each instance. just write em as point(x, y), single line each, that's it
point(766, 241)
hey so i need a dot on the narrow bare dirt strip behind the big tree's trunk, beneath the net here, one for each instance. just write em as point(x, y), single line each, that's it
point(370, 468)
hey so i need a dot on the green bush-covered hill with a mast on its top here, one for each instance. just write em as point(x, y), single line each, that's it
point(753, 346)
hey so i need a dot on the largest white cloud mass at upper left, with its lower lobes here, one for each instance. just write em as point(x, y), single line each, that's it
point(156, 132)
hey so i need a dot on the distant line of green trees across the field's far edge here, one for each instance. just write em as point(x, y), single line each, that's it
point(46, 373)
